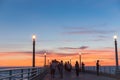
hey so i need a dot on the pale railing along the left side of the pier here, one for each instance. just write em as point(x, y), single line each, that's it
point(28, 73)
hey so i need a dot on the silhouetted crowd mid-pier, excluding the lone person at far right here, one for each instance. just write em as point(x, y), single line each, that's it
point(66, 66)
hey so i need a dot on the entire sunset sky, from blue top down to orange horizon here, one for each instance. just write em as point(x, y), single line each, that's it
point(63, 28)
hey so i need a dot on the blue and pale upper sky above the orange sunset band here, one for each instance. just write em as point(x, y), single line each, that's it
point(58, 24)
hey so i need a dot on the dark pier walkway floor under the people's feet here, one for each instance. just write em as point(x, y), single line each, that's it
point(82, 76)
